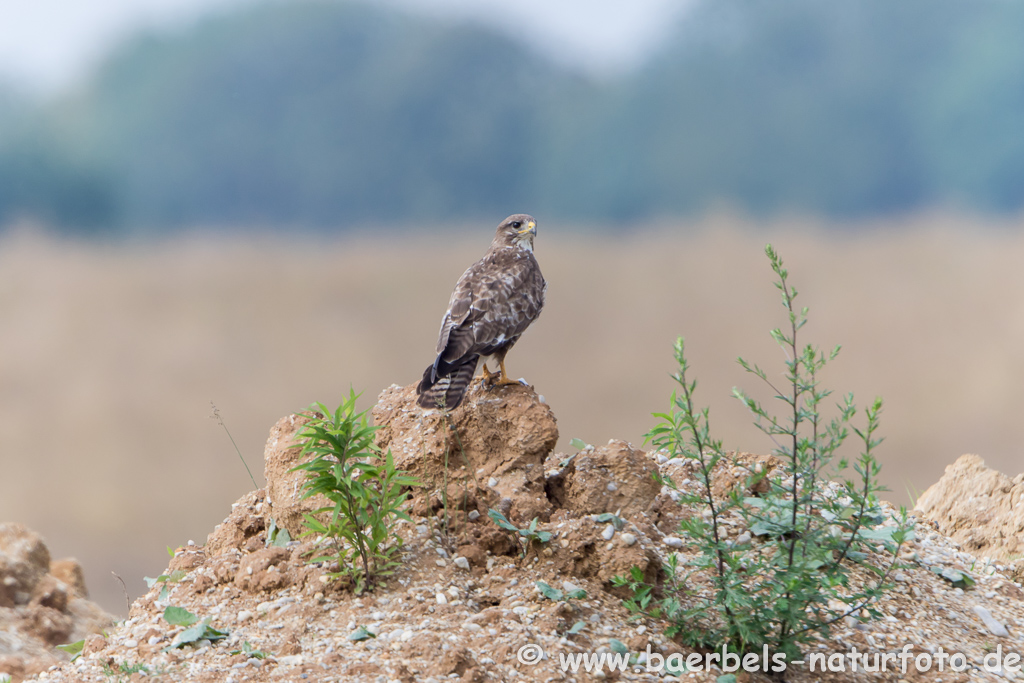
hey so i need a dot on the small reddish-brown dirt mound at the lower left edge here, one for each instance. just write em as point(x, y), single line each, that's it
point(44, 604)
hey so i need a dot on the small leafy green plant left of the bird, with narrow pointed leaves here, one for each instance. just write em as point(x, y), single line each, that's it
point(364, 488)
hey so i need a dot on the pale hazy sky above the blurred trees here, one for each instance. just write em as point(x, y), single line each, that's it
point(47, 45)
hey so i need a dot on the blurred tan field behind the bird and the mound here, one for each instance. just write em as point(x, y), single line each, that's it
point(110, 356)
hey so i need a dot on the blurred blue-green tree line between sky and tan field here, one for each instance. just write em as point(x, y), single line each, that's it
point(328, 115)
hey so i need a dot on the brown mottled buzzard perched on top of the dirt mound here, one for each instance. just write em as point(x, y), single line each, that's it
point(493, 305)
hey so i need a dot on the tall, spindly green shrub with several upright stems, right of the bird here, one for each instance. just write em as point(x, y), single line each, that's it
point(813, 558)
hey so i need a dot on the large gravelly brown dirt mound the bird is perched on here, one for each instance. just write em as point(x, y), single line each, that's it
point(465, 605)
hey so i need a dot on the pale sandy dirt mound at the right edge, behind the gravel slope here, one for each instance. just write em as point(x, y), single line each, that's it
point(980, 508)
